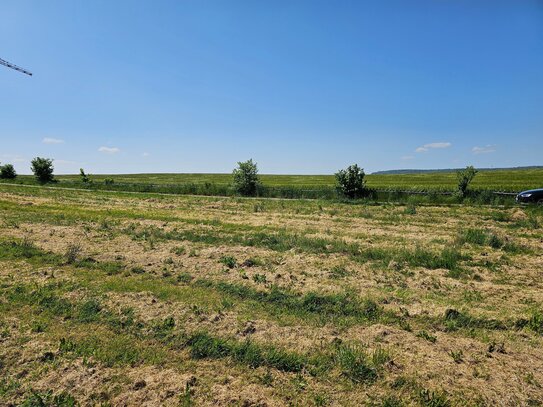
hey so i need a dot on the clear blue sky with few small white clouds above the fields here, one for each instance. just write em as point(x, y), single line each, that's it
point(302, 87)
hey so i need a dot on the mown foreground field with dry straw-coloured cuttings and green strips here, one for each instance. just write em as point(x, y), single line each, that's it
point(114, 299)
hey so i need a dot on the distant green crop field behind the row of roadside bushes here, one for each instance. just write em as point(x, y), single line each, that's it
point(507, 180)
